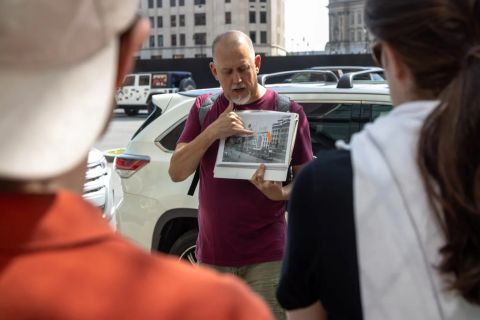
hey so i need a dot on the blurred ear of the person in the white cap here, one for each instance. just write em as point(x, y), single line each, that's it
point(130, 42)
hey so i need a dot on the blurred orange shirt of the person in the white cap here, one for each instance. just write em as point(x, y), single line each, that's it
point(60, 260)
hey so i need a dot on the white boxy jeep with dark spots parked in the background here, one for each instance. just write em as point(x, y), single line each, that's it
point(138, 88)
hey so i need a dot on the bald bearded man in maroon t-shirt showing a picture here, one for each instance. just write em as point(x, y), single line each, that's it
point(241, 222)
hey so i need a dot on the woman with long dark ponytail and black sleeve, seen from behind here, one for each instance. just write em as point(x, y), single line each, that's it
point(391, 228)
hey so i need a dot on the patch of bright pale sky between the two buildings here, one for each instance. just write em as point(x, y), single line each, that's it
point(306, 25)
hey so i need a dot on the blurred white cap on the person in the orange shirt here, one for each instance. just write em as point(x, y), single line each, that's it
point(58, 62)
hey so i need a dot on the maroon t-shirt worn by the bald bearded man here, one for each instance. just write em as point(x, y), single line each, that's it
point(238, 224)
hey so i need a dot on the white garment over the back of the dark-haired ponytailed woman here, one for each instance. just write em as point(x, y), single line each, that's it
point(397, 235)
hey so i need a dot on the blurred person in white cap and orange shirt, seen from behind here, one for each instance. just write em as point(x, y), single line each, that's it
point(59, 64)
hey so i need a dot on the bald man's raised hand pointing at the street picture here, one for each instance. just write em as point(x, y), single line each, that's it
point(228, 124)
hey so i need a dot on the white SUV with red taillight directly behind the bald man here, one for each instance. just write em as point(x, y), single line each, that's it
point(160, 215)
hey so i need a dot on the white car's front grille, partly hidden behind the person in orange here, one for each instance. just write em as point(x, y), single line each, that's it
point(98, 185)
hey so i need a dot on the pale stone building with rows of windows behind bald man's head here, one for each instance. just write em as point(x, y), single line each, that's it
point(187, 28)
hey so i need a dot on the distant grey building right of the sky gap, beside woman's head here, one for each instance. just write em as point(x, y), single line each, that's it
point(348, 33)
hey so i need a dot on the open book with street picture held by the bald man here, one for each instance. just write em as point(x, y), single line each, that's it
point(271, 143)
